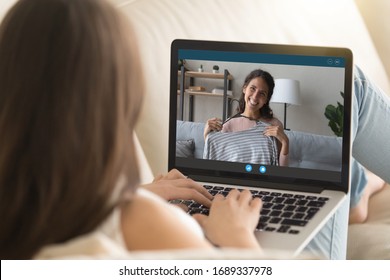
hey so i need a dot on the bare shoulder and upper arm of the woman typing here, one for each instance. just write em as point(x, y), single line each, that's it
point(150, 223)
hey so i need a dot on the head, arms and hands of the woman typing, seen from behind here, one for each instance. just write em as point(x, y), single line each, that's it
point(70, 94)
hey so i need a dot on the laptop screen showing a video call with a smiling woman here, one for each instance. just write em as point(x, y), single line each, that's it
point(311, 100)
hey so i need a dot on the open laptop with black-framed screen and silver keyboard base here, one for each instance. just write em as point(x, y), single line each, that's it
point(206, 80)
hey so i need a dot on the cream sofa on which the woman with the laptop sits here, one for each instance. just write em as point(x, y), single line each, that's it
point(325, 22)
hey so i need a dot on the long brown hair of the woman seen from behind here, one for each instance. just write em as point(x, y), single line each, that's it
point(70, 94)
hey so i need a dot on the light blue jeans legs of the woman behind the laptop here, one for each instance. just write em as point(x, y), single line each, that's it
point(370, 135)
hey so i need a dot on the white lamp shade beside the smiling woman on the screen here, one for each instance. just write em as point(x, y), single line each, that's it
point(286, 91)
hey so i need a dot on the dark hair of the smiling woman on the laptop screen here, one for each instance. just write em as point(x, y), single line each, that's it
point(265, 111)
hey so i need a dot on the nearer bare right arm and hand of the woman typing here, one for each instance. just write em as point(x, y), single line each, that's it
point(150, 223)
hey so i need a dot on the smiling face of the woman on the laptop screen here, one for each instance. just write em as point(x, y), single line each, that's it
point(256, 95)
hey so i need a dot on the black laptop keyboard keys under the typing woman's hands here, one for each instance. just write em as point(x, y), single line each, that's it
point(280, 211)
